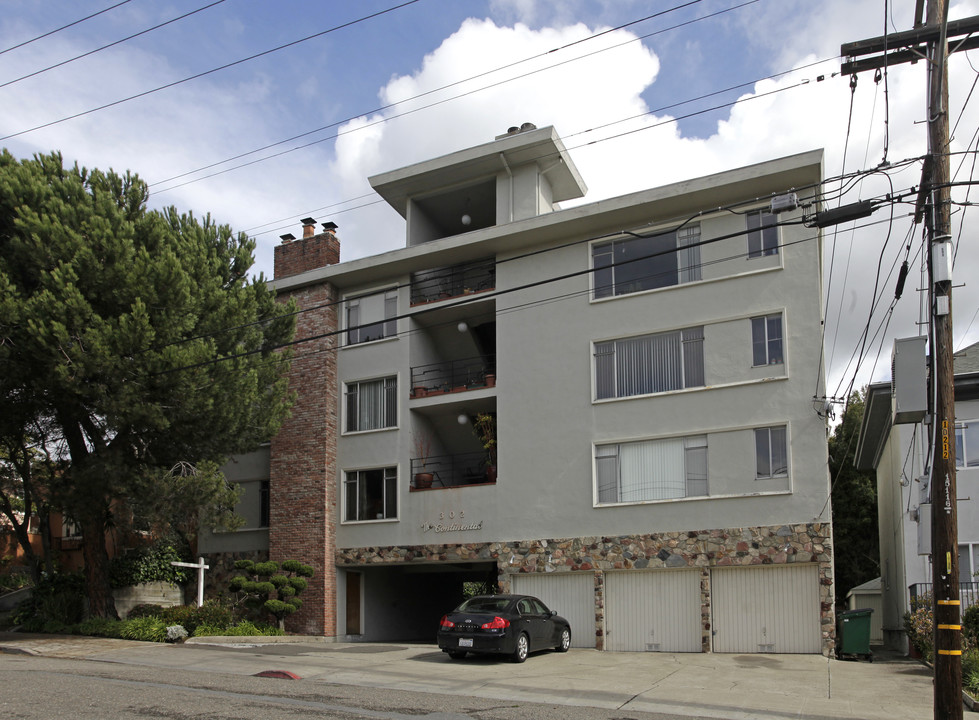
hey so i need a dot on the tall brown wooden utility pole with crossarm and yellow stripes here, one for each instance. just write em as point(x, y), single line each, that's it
point(930, 42)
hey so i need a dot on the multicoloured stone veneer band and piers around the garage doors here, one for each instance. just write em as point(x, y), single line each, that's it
point(705, 549)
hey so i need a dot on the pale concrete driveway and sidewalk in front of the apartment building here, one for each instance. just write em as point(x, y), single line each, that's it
point(806, 687)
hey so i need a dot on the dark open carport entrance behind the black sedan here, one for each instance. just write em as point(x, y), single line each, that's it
point(404, 603)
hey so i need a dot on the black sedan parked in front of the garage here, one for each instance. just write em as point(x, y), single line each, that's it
point(513, 625)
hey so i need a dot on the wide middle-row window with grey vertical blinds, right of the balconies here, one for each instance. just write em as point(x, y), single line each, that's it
point(650, 363)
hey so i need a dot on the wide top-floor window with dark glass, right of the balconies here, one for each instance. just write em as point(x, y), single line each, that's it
point(634, 264)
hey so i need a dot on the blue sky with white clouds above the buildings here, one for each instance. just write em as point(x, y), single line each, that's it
point(261, 113)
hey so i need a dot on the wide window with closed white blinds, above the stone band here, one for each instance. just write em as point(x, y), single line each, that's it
point(652, 470)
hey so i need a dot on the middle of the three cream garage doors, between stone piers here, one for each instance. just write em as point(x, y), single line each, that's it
point(655, 611)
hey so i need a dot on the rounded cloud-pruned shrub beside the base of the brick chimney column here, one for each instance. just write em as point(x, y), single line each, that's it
point(266, 586)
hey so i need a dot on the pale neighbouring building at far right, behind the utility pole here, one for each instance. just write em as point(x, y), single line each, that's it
point(898, 451)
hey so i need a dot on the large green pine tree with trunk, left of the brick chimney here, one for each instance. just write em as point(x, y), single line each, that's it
point(114, 318)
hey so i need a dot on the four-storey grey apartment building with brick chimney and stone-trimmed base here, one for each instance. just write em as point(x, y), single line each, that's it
point(653, 464)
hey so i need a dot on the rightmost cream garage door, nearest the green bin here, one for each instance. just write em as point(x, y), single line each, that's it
point(766, 609)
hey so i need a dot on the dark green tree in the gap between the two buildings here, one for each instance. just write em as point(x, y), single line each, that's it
point(856, 543)
